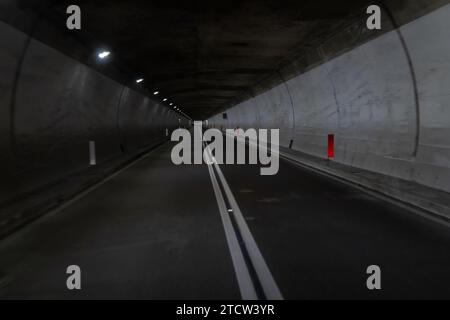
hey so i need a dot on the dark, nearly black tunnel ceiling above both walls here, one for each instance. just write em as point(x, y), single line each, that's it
point(202, 54)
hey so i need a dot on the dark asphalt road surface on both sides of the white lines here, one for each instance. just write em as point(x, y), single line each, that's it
point(154, 231)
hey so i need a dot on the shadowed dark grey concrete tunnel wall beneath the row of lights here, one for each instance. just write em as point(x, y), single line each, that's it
point(53, 105)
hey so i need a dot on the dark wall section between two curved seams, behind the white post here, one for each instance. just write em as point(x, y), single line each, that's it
point(60, 106)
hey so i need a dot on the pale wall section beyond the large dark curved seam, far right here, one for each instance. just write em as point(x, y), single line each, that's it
point(431, 60)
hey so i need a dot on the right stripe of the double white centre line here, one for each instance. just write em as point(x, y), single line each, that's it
point(270, 288)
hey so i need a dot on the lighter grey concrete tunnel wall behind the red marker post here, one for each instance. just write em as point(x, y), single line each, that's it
point(389, 114)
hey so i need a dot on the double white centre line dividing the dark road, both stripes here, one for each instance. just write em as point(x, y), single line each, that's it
point(254, 264)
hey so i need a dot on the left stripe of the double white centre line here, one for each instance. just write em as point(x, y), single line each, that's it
point(244, 280)
